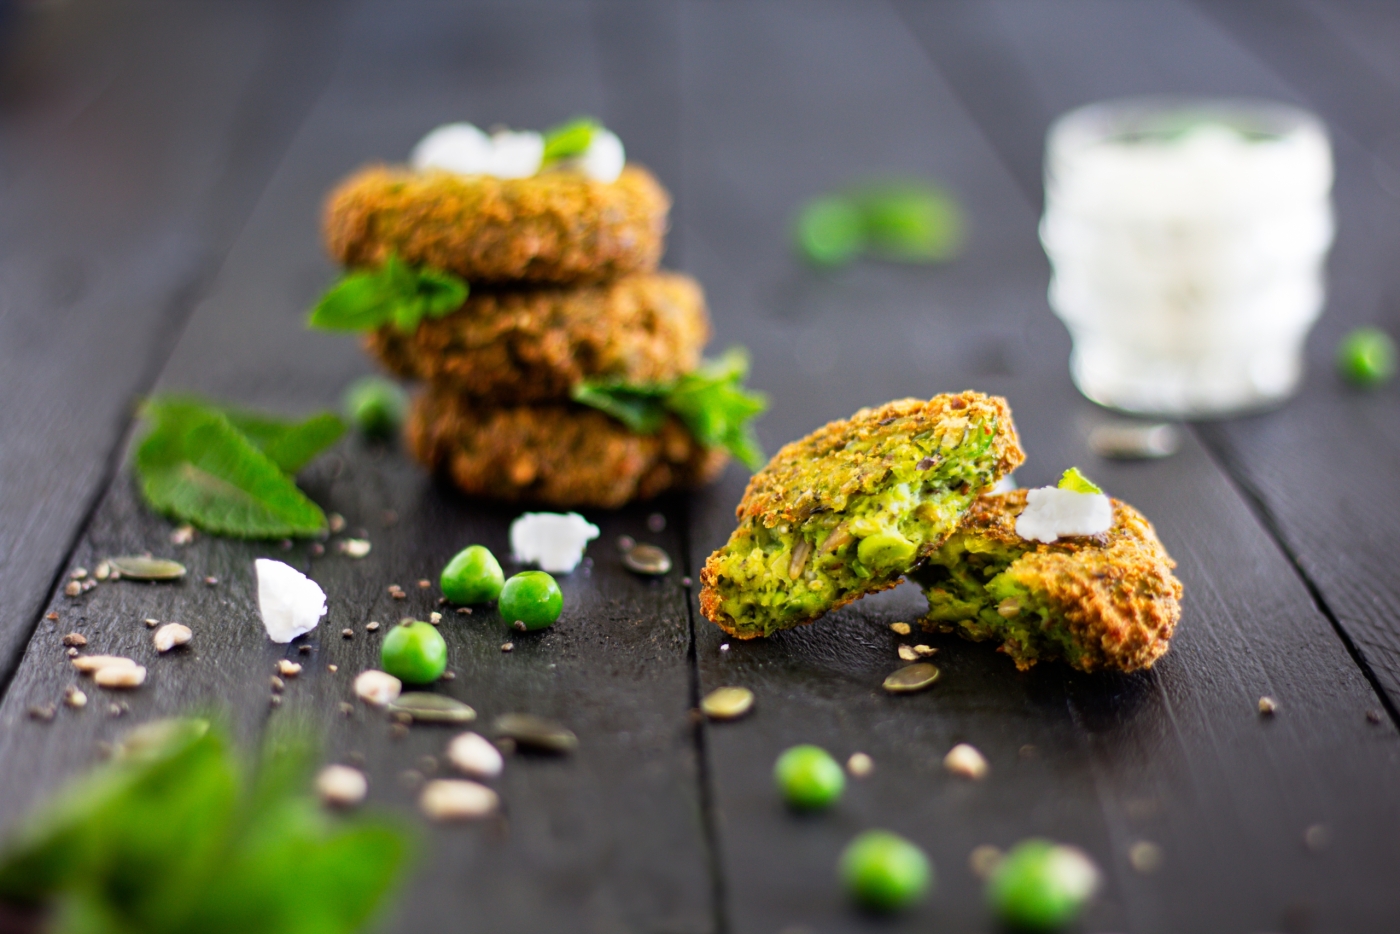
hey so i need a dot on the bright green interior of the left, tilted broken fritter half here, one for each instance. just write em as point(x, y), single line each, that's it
point(779, 578)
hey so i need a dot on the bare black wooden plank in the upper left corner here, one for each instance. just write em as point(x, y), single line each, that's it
point(134, 138)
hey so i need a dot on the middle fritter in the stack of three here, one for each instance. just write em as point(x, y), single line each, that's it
point(537, 345)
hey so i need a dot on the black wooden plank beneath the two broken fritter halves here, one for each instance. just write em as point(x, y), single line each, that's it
point(783, 102)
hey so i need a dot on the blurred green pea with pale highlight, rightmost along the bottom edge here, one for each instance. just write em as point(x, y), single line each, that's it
point(1041, 886)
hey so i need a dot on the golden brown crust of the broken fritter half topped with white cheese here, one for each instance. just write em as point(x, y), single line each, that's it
point(1116, 592)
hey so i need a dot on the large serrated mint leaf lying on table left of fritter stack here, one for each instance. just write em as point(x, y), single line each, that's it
point(199, 468)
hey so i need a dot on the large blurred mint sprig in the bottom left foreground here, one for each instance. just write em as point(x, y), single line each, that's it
point(176, 837)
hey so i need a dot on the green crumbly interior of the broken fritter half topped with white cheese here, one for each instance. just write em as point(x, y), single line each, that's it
point(971, 593)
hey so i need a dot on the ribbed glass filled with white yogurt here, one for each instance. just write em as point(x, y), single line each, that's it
point(1188, 242)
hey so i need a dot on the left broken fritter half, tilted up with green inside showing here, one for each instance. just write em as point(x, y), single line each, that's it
point(852, 508)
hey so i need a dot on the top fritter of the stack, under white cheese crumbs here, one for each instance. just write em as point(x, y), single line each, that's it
point(555, 228)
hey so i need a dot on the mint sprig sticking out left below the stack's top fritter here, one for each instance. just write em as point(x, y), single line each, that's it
point(395, 293)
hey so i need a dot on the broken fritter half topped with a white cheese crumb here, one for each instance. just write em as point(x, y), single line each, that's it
point(1101, 601)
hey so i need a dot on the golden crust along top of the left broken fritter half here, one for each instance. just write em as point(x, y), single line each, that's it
point(850, 456)
